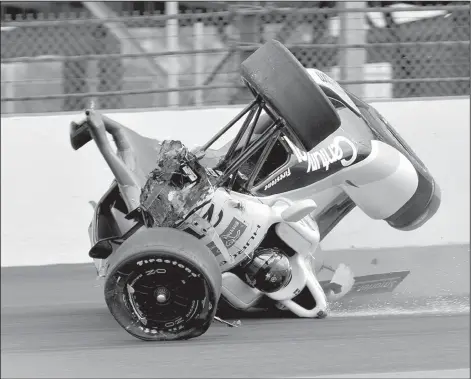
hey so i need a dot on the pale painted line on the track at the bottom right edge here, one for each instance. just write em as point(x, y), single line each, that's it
point(458, 373)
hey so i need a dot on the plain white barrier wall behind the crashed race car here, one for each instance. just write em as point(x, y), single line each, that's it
point(46, 185)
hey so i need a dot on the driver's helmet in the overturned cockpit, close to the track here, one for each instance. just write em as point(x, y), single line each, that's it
point(269, 270)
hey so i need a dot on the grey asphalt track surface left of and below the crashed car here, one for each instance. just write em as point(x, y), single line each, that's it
point(55, 324)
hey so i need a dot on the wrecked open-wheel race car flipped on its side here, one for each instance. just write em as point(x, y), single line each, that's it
point(183, 233)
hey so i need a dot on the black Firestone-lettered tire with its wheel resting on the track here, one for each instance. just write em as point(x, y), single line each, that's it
point(164, 261)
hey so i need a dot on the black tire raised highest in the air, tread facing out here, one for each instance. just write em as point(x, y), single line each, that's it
point(276, 75)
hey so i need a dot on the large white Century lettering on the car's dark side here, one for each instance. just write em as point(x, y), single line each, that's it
point(324, 157)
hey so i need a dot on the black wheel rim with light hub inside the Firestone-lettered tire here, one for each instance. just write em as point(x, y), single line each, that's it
point(165, 293)
